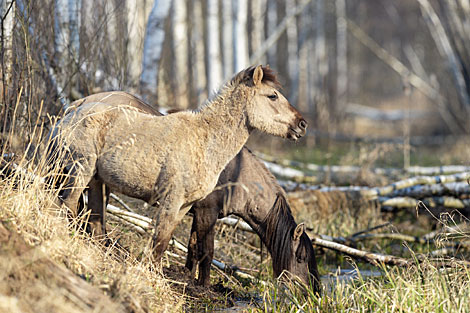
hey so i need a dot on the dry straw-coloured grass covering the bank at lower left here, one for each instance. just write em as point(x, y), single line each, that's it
point(38, 246)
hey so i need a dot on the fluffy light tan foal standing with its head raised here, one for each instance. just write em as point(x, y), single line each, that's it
point(169, 161)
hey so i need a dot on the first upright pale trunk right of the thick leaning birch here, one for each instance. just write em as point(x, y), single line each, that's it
point(180, 48)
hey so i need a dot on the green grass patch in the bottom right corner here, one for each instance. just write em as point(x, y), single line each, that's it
point(423, 288)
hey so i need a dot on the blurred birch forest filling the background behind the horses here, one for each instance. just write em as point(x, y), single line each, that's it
point(357, 68)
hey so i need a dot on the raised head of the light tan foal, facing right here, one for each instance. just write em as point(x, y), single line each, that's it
point(267, 108)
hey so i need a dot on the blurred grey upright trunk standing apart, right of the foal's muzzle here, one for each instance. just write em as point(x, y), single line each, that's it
point(341, 55)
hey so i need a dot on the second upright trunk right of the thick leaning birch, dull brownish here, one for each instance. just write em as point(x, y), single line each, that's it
point(199, 66)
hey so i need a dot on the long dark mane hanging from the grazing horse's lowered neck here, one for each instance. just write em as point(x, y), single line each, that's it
point(277, 231)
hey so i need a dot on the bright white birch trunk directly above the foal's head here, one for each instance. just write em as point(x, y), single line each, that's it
point(240, 38)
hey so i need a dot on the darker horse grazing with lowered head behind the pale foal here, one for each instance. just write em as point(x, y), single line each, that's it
point(245, 188)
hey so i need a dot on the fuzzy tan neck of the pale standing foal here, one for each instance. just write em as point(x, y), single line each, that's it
point(227, 131)
